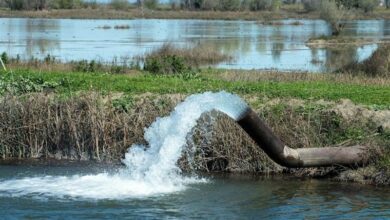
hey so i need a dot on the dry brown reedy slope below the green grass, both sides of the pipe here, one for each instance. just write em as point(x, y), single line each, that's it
point(93, 127)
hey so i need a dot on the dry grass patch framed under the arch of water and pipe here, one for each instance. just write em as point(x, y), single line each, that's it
point(220, 145)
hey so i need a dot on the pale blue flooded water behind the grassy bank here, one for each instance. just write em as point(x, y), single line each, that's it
point(253, 46)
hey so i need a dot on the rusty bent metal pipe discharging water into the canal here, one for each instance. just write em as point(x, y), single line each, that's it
point(296, 158)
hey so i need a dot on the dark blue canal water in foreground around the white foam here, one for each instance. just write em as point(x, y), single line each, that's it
point(234, 197)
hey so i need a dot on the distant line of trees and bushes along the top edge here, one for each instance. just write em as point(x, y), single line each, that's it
point(216, 5)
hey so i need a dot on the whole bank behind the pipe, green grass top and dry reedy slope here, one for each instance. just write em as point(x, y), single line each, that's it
point(97, 116)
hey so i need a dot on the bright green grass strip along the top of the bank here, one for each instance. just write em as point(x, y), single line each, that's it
point(69, 82)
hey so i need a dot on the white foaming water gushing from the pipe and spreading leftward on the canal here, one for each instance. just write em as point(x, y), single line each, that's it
point(150, 170)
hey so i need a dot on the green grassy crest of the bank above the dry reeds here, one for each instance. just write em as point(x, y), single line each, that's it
point(277, 85)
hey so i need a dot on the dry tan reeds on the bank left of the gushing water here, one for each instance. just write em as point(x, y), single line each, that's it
point(86, 127)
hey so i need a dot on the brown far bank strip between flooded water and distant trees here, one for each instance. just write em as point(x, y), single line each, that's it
point(177, 14)
